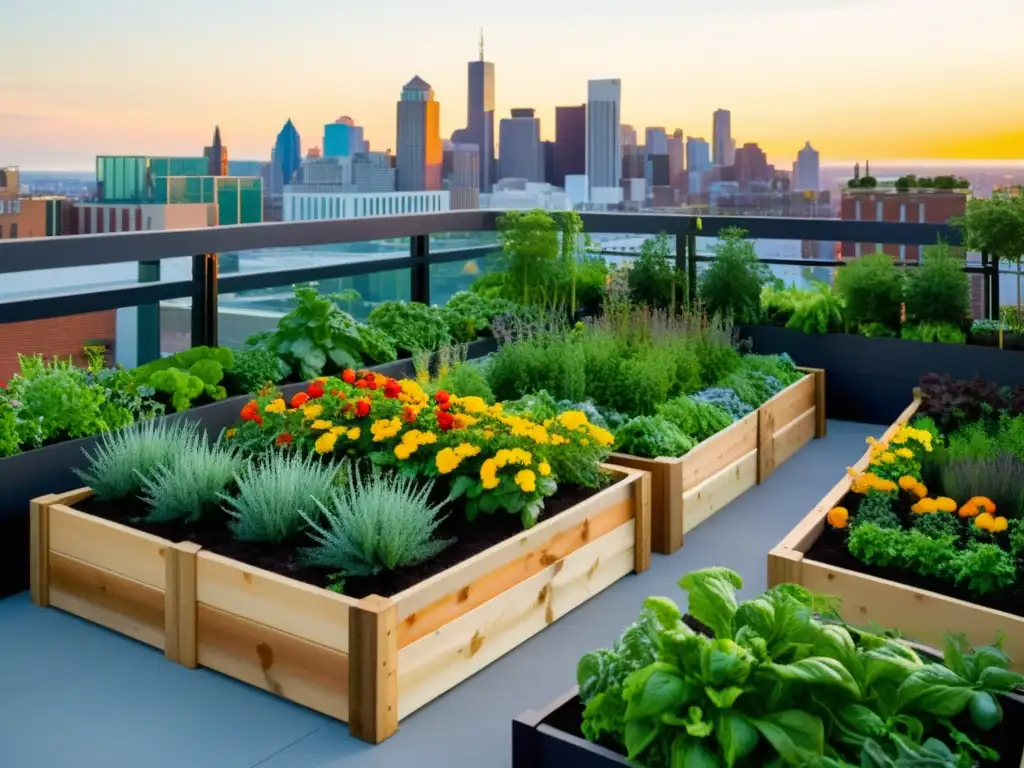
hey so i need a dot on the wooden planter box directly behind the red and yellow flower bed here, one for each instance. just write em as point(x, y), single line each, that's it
point(689, 490)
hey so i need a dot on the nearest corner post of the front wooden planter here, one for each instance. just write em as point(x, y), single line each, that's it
point(373, 669)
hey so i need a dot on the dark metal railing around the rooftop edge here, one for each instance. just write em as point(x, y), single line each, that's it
point(149, 249)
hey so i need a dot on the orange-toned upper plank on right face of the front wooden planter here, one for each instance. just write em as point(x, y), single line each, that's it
point(465, 595)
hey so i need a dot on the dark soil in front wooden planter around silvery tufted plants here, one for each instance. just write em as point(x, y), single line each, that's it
point(214, 534)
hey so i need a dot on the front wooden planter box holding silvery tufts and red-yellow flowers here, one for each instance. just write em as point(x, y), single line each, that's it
point(371, 662)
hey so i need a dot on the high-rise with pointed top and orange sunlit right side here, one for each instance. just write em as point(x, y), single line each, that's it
point(419, 140)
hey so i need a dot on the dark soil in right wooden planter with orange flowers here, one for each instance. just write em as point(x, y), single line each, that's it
point(831, 549)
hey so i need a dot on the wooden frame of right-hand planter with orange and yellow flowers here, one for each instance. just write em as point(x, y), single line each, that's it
point(923, 615)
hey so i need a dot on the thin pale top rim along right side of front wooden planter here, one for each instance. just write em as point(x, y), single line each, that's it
point(426, 593)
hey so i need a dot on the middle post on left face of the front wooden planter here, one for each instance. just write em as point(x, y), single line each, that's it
point(181, 630)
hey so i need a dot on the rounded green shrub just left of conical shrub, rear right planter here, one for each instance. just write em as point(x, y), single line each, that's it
point(872, 289)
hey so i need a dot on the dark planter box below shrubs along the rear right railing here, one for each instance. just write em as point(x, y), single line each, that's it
point(870, 380)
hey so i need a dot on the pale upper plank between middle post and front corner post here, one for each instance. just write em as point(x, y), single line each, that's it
point(311, 613)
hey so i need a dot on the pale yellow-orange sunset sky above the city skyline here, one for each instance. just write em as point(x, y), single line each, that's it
point(861, 79)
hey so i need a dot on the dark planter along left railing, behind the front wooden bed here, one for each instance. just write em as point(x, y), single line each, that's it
point(51, 470)
